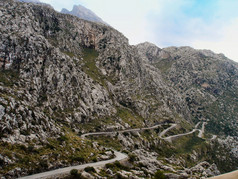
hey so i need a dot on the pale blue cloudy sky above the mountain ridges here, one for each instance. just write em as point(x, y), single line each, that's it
point(201, 24)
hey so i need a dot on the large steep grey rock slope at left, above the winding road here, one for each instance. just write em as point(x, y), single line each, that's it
point(58, 64)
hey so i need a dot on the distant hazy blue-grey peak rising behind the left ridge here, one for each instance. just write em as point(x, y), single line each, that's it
point(83, 13)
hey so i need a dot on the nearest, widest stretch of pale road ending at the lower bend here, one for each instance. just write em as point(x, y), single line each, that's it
point(119, 156)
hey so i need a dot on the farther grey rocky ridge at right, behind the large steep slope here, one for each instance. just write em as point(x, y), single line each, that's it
point(205, 80)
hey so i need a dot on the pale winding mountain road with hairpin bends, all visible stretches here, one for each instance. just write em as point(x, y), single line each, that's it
point(119, 156)
